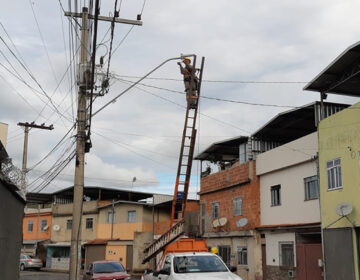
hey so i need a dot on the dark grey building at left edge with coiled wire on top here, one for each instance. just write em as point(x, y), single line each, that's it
point(11, 215)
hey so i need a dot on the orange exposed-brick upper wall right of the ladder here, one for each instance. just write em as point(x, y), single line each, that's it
point(249, 192)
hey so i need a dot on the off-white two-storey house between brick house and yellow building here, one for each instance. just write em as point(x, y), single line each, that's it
point(290, 210)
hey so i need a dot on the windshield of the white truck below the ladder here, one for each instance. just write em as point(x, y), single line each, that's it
point(194, 264)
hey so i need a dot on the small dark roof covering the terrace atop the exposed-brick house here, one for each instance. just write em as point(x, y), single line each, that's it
point(225, 150)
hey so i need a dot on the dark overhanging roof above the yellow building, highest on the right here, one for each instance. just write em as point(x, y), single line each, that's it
point(342, 76)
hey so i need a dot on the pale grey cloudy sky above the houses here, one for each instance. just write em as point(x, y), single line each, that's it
point(139, 135)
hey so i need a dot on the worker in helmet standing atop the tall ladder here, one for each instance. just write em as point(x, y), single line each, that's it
point(187, 72)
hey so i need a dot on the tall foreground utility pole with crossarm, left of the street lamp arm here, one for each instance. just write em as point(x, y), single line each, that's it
point(86, 77)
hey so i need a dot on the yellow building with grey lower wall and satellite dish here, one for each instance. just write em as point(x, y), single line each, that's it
point(339, 169)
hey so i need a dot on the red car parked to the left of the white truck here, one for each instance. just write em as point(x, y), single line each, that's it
point(101, 270)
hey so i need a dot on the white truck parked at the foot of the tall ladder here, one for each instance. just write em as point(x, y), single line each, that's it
point(192, 266)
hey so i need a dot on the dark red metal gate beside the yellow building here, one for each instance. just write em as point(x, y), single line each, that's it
point(307, 260)
